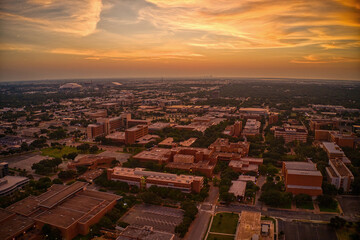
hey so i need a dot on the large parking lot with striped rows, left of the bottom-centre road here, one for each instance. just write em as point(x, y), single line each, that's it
point(161, 218)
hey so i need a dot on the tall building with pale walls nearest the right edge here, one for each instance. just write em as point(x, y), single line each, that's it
point(339, 175)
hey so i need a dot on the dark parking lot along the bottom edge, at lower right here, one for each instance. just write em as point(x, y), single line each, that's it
point(309, 231)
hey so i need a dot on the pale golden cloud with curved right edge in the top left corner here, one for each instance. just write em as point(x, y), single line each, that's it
point(78, 17)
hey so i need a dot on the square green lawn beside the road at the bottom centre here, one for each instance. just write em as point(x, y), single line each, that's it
point(225, 223)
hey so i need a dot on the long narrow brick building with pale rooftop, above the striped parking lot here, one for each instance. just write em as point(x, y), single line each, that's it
point(145, 179)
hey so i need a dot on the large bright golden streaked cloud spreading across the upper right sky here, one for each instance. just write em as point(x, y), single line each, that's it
point(257, 23)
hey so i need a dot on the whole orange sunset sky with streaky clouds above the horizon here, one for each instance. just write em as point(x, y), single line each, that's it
point(52, 39)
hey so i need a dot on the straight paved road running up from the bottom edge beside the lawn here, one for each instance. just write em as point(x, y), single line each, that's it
point(199, 227)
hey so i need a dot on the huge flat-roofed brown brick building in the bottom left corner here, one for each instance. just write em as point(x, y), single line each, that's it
point(71, 209)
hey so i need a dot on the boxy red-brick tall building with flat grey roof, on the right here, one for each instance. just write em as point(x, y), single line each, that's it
point(302, 177)
